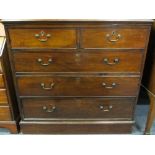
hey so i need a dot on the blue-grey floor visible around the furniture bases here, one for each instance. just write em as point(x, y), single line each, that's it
point(140, 116)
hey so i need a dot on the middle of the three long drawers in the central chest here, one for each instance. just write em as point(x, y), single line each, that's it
point(77, 86)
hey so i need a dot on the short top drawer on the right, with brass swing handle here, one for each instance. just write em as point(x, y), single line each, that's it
point(114, 38)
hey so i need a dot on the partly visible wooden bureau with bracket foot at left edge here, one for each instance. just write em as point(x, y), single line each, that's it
point(8, 109)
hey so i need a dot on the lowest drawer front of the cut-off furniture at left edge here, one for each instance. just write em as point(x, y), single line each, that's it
point(5, 113)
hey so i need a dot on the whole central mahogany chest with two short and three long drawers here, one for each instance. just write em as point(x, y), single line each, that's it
point(77, 76)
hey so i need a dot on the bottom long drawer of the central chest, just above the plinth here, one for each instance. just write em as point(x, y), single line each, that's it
point(65, 108)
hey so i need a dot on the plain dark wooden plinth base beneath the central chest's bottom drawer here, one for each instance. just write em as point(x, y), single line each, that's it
point(91, 127)
